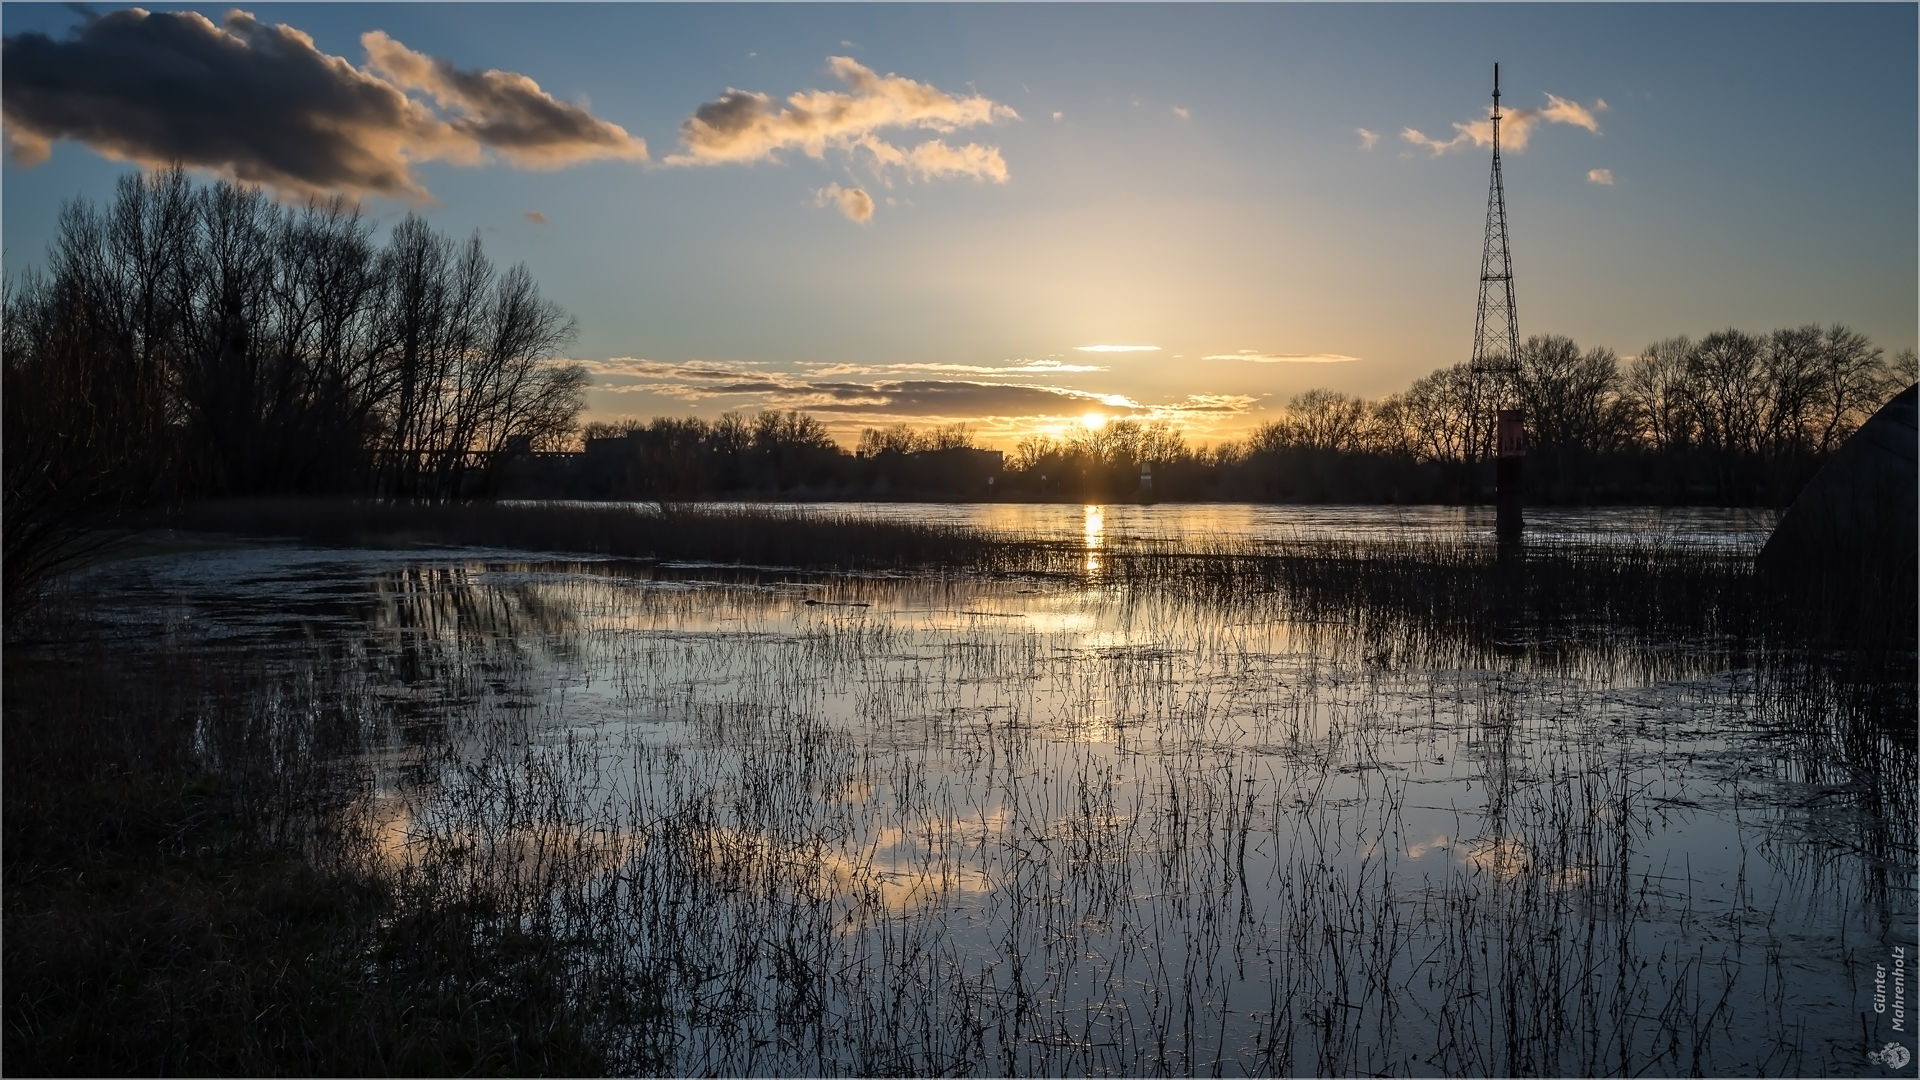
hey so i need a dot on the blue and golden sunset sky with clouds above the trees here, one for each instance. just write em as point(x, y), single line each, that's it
point(934, 214)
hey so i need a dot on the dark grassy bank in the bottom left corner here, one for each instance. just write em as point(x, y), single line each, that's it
point(181, 900)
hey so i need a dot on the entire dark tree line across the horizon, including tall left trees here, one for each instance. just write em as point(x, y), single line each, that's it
point(201, 341)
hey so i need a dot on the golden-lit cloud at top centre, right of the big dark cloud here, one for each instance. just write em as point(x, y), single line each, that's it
point(744, 126)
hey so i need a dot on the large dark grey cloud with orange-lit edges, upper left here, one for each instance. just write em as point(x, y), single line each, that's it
point(262, 105)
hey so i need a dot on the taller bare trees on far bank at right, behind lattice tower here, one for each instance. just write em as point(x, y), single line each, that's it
point(1731, 420)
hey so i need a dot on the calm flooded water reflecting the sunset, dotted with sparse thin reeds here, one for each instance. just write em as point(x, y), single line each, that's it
point(1134, 820)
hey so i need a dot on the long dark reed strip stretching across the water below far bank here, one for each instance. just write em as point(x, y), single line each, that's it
point(1452, 593)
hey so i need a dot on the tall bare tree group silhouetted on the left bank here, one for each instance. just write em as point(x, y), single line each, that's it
point(191, 341)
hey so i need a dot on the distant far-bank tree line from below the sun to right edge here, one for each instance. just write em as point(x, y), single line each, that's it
point(1731, 420)
